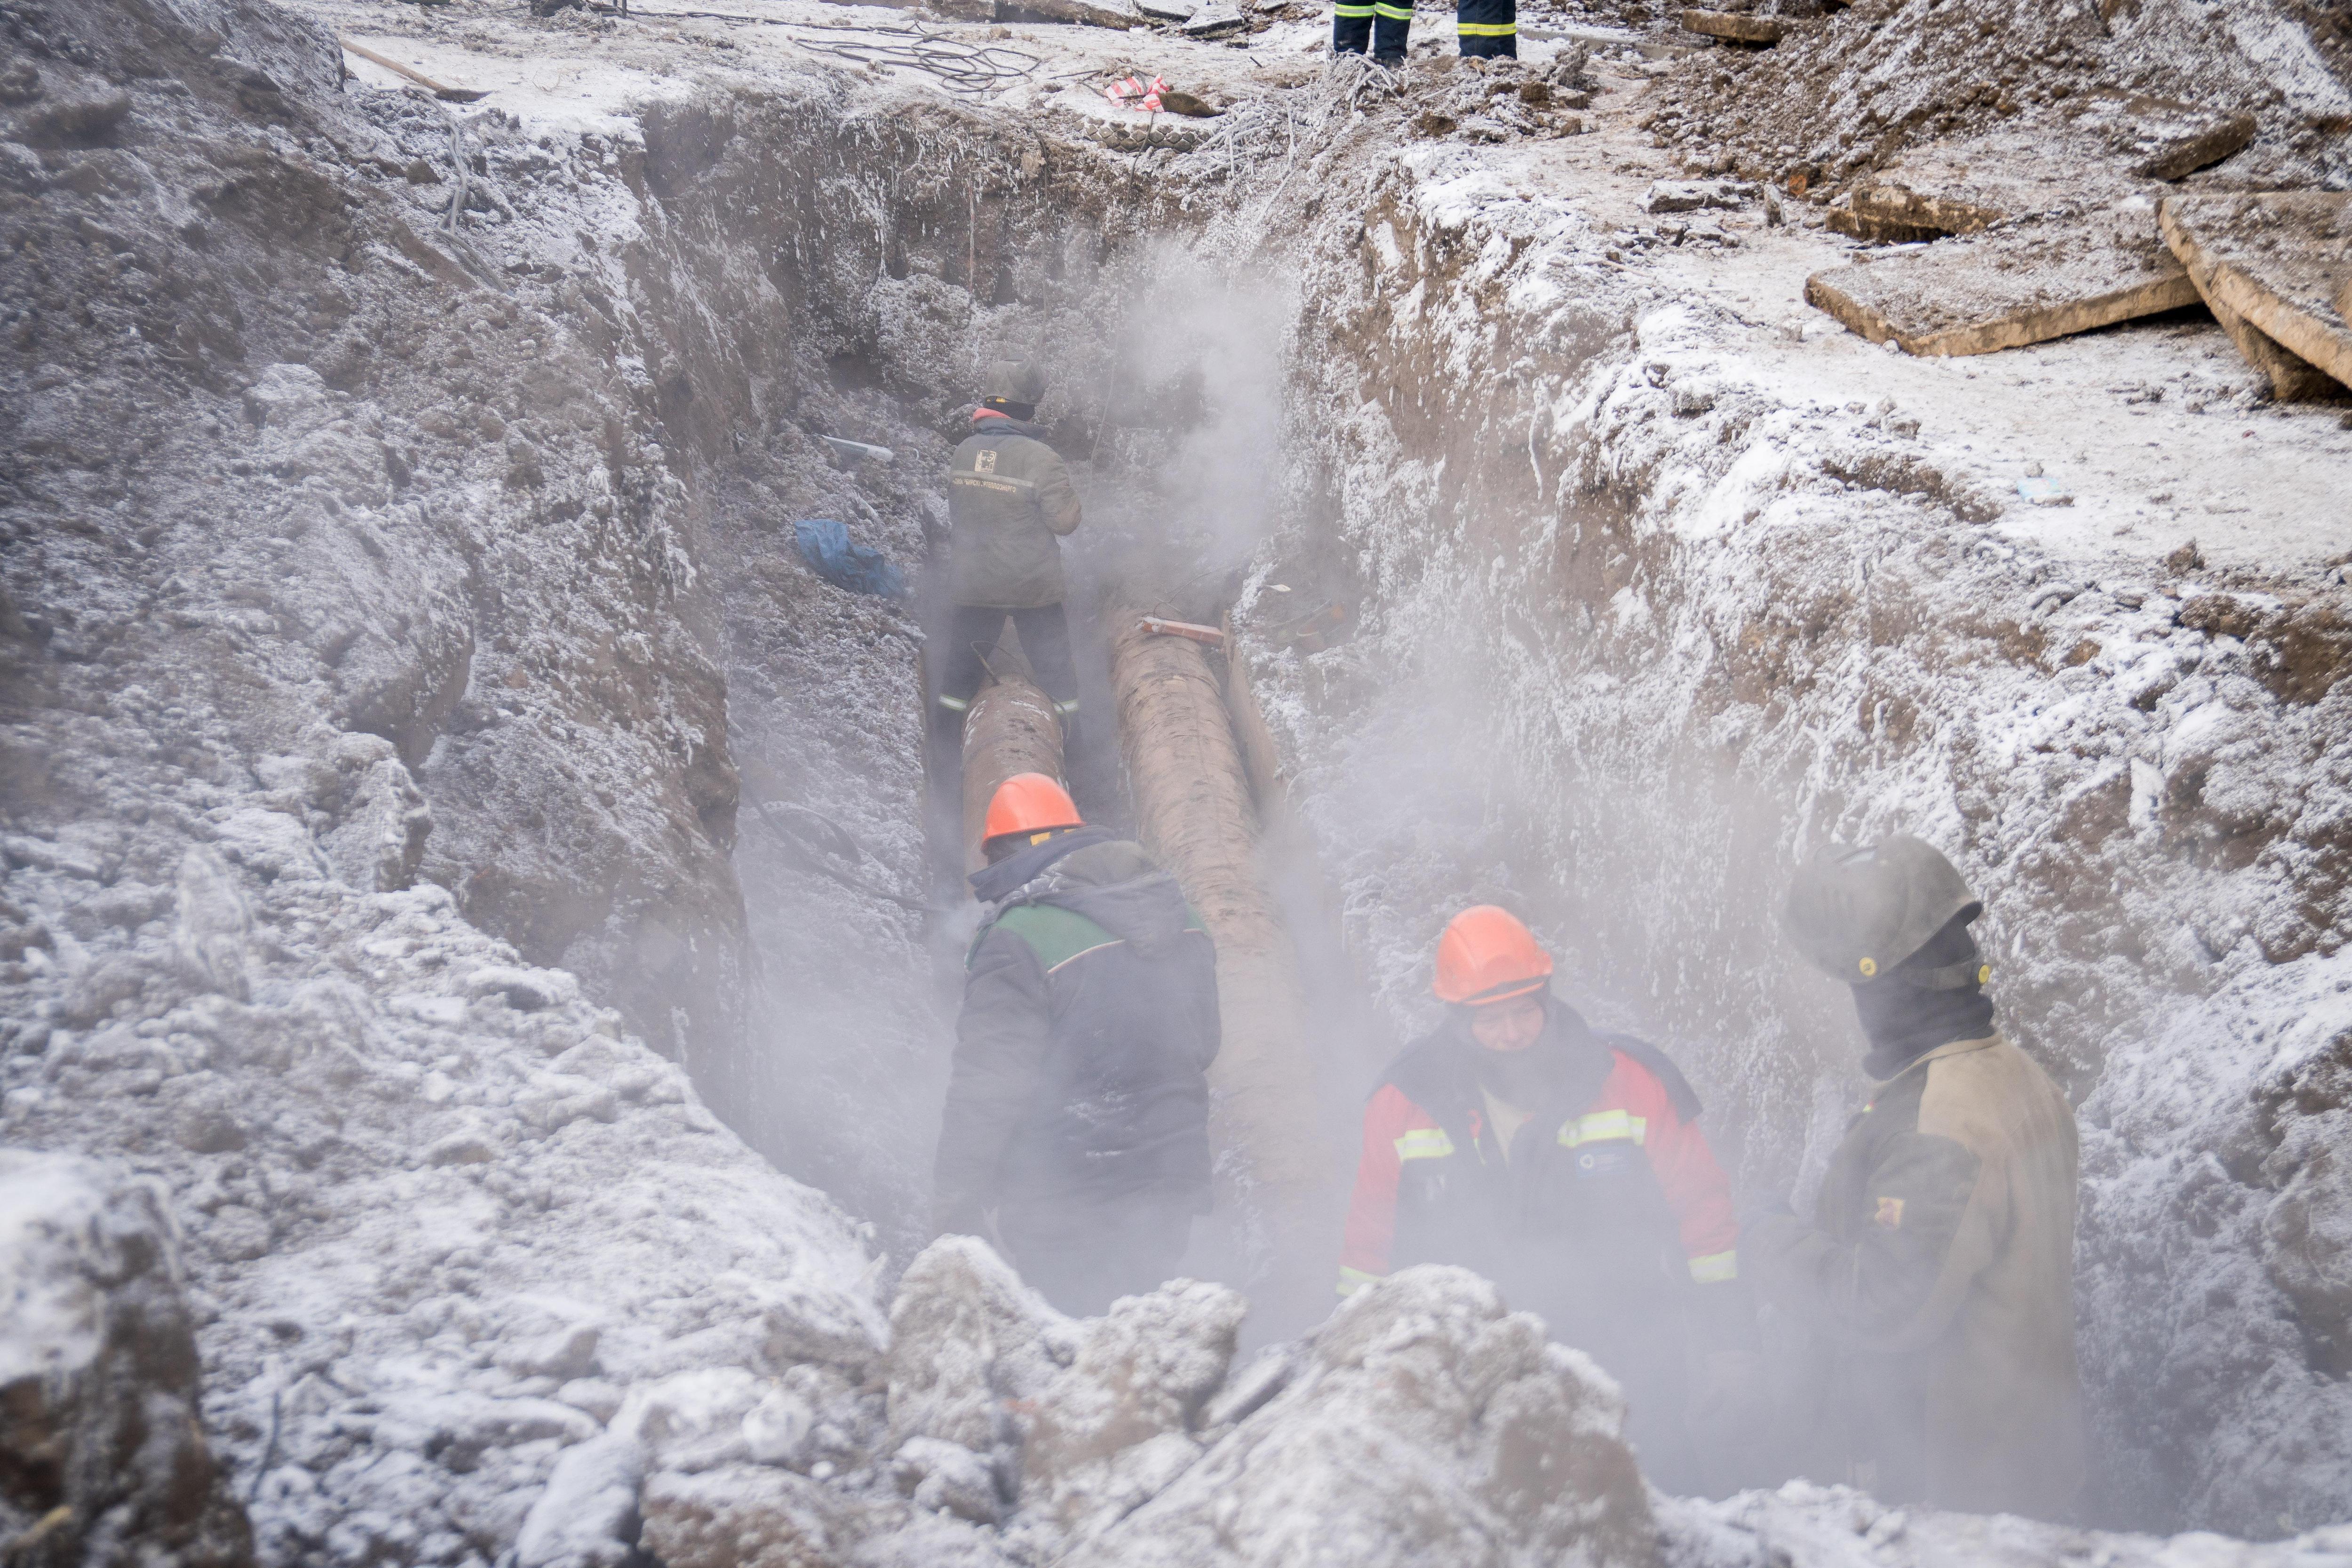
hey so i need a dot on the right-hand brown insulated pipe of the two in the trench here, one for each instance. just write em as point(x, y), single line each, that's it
point(1194, 810)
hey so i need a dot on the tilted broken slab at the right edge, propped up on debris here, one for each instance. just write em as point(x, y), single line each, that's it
point(2278, 274)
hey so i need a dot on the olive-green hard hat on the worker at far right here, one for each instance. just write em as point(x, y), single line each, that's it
point(1859, 913)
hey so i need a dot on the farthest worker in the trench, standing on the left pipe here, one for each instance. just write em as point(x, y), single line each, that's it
point(1010, 502)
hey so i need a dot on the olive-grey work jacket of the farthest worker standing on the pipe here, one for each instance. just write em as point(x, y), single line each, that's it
point(1008, 504)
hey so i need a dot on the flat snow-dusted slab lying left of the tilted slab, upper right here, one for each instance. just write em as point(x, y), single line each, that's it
point(2024, 283)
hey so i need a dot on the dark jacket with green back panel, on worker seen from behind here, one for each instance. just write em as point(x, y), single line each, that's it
point(1088, 1031)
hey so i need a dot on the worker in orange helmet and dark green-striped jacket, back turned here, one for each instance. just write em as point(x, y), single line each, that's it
point(1078, 1108)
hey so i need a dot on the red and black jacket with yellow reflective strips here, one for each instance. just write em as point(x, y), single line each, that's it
point(1605, 1214)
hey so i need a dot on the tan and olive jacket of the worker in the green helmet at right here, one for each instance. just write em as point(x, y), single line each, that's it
point(1942, 1271)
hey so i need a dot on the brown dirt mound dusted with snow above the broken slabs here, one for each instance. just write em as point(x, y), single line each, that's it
point(1847, 93)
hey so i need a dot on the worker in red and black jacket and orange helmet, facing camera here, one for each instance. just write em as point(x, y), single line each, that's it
point(1570, 1170)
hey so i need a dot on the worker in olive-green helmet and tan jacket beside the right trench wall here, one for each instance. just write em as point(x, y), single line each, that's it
point(1939, 1271)
